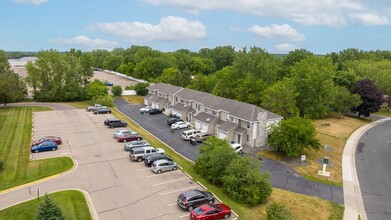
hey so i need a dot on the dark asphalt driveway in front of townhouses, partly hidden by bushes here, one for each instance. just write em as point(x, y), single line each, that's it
point(282, 176)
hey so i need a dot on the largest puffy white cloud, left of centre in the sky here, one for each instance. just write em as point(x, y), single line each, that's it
point(169, 29)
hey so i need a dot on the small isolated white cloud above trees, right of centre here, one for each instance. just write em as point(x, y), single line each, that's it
point(283, 31)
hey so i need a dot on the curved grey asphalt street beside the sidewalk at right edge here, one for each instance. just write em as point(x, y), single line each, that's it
point(373, 162)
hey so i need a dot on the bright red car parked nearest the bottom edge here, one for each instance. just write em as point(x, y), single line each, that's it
point(211, 212)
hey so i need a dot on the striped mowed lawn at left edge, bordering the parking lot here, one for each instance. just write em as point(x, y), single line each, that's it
point(15, 142)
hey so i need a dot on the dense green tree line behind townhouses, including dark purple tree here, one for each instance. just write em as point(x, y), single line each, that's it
point(298, 84)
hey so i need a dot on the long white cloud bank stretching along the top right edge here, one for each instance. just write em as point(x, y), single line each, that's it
point(334, 13)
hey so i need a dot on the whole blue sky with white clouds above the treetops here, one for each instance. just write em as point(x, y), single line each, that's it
point(320, 26)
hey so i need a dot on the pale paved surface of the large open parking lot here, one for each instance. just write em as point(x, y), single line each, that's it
point(120, 188)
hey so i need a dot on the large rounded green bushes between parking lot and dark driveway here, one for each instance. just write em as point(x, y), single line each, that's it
point(238, 176)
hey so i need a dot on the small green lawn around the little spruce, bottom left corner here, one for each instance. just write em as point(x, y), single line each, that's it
point(71, 202)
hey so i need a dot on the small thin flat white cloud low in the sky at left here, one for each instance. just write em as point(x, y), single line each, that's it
point(86, 42)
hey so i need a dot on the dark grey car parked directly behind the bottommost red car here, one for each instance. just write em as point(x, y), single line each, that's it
point(191, 199)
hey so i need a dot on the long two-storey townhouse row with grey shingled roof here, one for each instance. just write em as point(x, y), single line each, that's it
point(225, 118)
